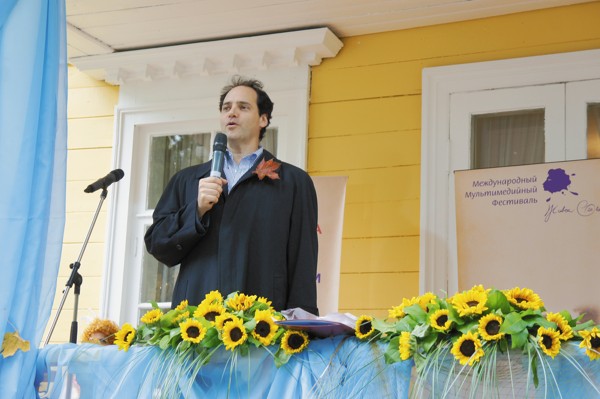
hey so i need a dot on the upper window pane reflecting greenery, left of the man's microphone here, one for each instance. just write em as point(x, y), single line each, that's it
point(170, 154)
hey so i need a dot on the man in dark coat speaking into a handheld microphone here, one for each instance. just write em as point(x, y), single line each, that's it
point(251, 227)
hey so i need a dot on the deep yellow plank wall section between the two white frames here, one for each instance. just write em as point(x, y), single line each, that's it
point(365, 123)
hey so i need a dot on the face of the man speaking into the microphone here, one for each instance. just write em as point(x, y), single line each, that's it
point(240, 120)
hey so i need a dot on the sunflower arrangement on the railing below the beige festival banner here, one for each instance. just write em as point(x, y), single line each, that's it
point(470, 329)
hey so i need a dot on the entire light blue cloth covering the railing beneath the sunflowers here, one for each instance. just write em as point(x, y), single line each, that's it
point(337, 368)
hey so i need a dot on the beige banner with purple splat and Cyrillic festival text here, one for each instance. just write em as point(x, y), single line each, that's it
point(534, 226)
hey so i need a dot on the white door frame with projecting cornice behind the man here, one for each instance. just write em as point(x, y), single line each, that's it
point(178, 87)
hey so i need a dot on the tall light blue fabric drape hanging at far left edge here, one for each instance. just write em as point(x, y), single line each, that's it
point(33, 98)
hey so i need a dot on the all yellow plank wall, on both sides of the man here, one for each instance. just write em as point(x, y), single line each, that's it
point(365, 120)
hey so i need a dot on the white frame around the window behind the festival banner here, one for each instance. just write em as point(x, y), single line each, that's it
point(438, 260)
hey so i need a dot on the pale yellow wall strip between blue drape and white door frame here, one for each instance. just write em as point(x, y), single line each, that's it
point(90, 139)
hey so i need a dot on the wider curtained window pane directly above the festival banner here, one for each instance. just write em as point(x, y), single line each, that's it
point(508, 138)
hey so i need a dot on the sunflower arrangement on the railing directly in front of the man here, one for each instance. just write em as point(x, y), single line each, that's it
point(189, 335)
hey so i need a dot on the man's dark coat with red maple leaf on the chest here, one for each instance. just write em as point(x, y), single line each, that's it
point(259, 239)
